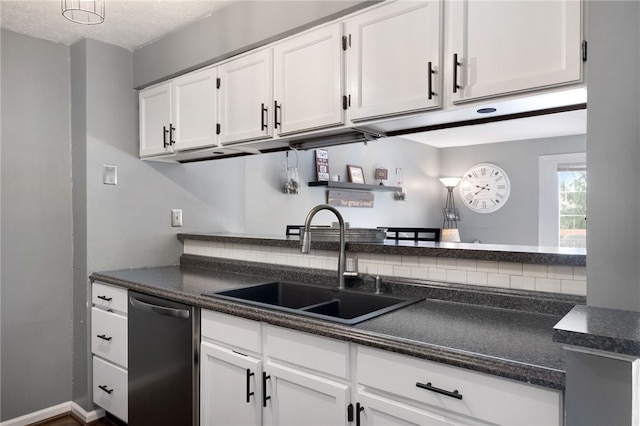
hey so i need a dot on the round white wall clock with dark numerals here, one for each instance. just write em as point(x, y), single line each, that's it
point(485, 188)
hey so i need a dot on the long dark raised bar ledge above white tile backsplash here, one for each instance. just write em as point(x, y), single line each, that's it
point(495, 252)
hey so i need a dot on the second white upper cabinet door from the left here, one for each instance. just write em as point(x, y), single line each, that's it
point(195, 110)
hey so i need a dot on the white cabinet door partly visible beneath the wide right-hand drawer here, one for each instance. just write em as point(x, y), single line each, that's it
point(379, 411)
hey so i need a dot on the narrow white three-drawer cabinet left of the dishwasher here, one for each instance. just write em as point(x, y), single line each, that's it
point(109, 349)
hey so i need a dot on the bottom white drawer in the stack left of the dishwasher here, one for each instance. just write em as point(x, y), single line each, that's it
point(110, 388)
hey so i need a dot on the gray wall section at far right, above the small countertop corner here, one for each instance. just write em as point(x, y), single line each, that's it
point(613, 155)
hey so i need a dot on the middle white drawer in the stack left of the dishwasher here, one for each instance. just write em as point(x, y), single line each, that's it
point(109, 336)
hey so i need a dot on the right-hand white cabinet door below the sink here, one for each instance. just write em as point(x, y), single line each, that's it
point(300, 399)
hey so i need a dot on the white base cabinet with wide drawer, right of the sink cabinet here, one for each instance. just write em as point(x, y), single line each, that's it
point(450, 395)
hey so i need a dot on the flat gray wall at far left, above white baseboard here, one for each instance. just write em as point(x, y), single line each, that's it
point(36, 226)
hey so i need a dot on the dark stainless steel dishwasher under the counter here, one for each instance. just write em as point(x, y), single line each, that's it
point(163, 361)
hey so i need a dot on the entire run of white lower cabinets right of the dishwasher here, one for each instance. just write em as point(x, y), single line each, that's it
point(254, 373)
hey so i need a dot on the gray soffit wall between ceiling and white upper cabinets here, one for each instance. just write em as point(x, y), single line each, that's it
point(234, 29)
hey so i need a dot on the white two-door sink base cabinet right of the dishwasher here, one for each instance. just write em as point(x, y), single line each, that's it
point(253, 373)
